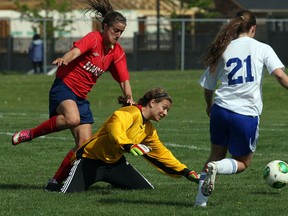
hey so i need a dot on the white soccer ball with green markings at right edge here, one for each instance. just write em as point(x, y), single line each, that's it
point(276, 174)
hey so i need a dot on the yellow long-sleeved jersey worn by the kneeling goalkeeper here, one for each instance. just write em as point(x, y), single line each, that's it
point(125, 126)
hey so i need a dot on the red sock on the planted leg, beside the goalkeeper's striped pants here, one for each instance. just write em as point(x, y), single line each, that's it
point(64, 169)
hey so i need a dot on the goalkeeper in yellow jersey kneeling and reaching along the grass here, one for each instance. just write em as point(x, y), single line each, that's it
point(127, 130)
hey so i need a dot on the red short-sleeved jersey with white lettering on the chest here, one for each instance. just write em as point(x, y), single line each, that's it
point(82, 73)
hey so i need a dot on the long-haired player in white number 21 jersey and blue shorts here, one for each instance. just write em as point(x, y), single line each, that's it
point(237, 60)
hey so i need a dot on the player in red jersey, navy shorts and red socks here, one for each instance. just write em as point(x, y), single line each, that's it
point(78, 71)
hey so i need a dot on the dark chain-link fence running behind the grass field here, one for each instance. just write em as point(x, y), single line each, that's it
point(178, 47)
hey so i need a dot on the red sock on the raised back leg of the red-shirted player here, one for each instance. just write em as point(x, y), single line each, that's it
point(46, 127)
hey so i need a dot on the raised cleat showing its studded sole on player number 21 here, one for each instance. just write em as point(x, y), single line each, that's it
point(209, 181)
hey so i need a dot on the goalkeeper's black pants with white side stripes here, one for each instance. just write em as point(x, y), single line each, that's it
point(121, 174)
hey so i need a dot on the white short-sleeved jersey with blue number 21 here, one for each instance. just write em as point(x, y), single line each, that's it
point(241, 71)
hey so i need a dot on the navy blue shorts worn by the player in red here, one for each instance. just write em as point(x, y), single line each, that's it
point(60, 92)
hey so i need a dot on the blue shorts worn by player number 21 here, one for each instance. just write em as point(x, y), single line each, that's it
point(239, 133)
